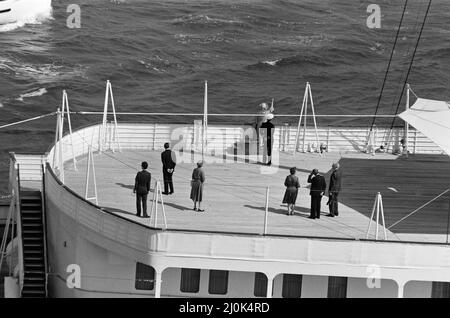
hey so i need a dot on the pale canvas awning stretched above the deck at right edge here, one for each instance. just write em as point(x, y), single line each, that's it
point(432, 118)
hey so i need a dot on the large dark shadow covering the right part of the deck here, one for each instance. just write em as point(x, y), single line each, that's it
point(405, 184)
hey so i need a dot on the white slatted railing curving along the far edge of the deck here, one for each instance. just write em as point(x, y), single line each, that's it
point(152, 136)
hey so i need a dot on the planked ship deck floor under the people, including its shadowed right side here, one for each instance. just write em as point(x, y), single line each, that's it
point(235, 194)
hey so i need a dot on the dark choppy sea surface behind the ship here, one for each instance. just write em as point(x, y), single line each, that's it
point(158, 53)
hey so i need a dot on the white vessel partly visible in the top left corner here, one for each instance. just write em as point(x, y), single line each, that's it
point(13, 11)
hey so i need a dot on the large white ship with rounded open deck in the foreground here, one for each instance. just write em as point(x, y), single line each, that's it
point(244, 245)
